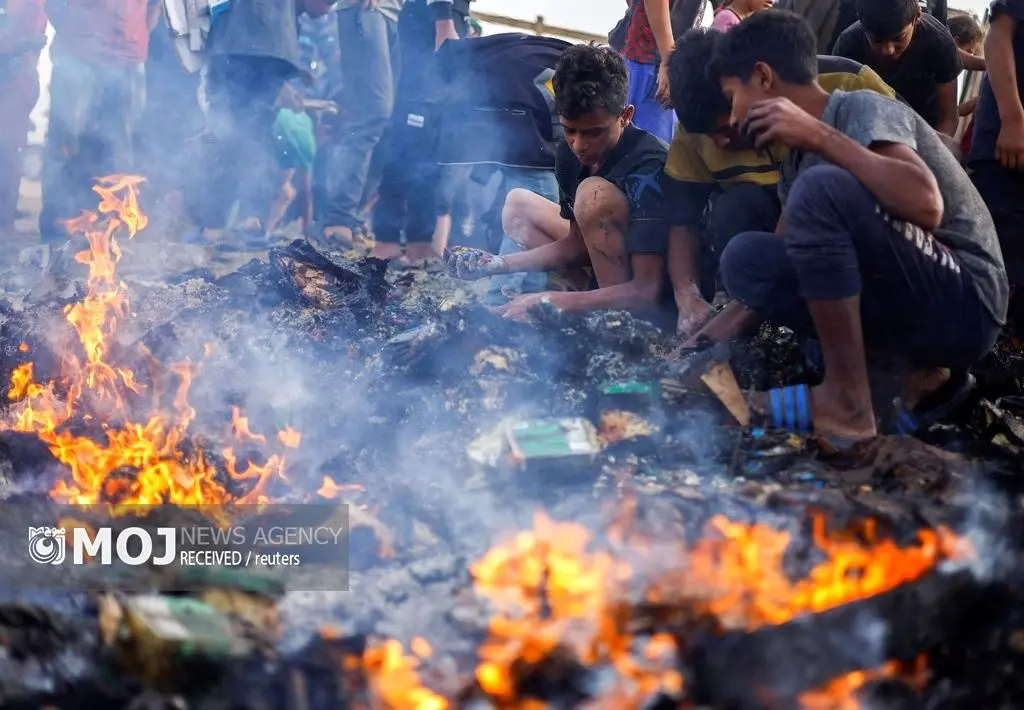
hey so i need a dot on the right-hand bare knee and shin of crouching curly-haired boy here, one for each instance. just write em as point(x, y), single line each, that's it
point(604, 216)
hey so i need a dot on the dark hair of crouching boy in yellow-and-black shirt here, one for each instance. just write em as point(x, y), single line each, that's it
point(696, 93)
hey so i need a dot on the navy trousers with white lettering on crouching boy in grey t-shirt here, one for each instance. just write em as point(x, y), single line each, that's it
point(916, 302)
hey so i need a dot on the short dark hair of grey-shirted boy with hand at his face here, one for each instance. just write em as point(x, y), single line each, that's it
point(781, 39)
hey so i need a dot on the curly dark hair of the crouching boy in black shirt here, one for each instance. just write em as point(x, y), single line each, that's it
point(590, 77)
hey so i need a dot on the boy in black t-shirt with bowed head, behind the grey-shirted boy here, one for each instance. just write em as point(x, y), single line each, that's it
point(914, 53)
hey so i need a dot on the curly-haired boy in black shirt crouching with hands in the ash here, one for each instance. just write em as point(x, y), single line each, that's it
point(610, 217)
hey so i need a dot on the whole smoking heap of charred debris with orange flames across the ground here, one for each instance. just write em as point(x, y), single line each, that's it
point(682, 558)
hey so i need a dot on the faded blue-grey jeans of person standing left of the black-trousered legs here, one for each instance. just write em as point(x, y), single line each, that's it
point(370, 67)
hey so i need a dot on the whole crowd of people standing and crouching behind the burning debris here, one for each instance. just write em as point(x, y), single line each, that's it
point(801, 162)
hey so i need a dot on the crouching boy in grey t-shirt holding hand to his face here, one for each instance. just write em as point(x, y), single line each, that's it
point(884, 243)
